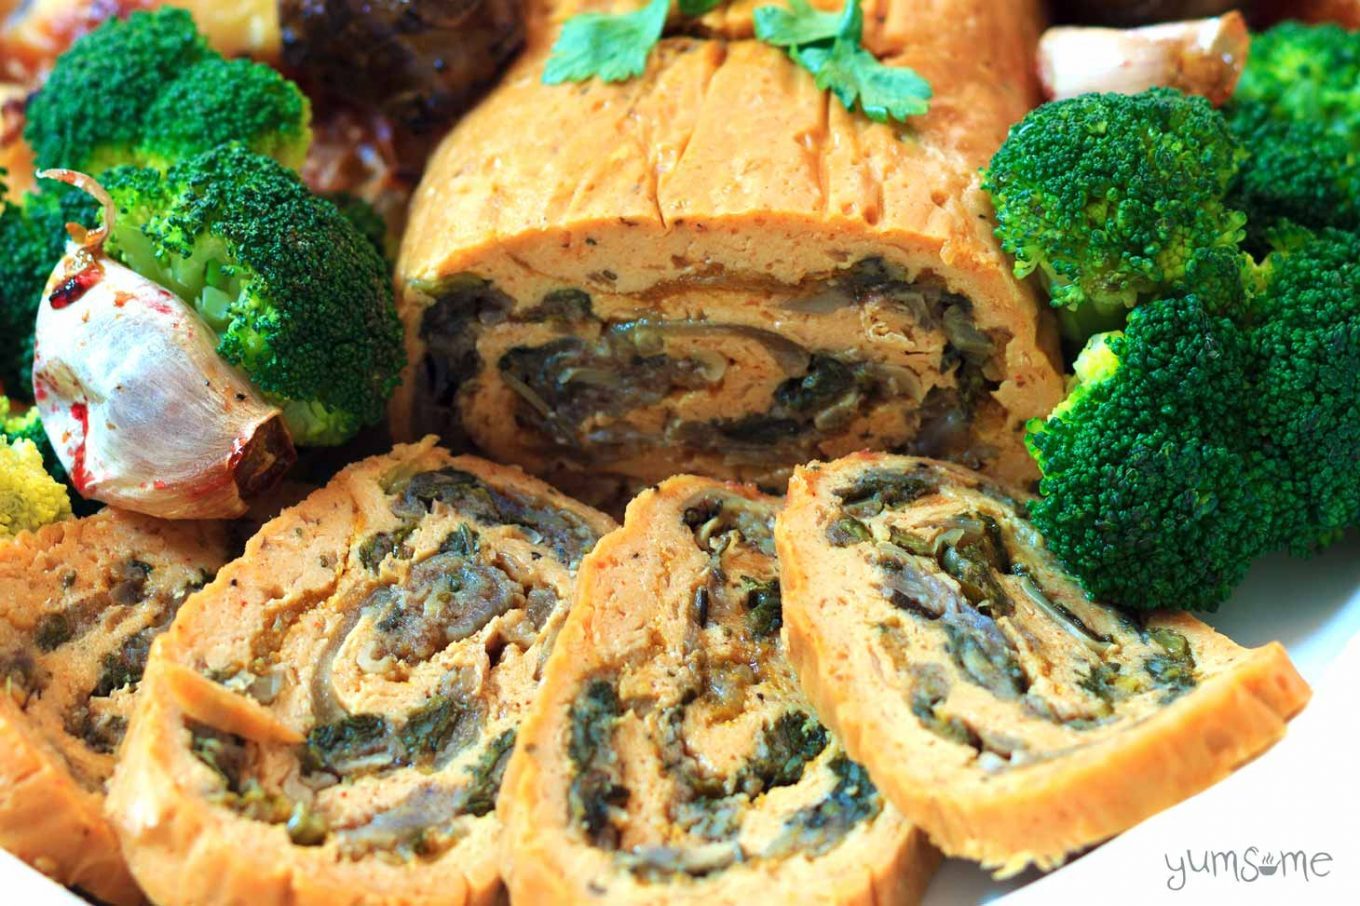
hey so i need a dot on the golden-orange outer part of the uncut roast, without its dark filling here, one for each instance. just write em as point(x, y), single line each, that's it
point(721, 176)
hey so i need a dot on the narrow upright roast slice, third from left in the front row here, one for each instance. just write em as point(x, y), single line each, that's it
point(671, 757)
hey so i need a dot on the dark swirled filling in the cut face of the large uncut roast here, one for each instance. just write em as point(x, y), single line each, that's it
point(906, 361)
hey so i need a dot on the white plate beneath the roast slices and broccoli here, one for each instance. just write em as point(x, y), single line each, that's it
point(1301, 796)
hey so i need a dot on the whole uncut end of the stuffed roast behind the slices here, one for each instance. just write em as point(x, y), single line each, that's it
point(717, 269)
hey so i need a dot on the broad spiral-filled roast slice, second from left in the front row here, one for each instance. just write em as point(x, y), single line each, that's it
point(328, 722)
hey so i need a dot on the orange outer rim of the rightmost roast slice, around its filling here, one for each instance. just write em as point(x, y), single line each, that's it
point(1151, 757)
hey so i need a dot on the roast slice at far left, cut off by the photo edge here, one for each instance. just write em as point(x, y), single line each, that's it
point(80, 606)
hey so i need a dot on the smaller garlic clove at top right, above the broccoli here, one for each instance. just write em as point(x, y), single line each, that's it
point(1200, 56)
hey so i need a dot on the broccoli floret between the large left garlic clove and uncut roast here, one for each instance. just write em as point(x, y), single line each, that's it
point(300, 300)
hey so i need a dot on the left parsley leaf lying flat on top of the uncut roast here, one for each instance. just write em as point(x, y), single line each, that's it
point(609, 47)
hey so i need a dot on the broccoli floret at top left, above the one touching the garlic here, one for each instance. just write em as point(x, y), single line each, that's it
point(149, 92)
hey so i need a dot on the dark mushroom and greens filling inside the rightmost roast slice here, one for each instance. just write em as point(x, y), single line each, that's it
point(977, 603)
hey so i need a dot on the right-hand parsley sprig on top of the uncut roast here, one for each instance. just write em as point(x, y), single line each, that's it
point(830, 48)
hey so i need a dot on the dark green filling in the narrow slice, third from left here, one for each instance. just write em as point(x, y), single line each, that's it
point(708, 806)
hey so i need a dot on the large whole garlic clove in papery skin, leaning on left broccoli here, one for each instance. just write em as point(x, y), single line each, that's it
point(139, 407)
